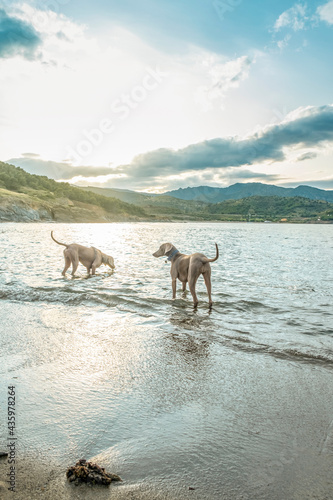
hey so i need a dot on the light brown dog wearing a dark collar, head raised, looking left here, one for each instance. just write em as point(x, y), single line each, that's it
point(187, 268)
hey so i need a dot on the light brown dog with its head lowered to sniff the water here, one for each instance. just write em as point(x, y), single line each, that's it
point(91, 257)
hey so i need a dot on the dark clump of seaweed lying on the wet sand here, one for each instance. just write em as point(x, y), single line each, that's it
point(87, 472)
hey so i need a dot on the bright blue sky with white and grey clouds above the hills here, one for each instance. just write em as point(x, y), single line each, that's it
point(163, 94)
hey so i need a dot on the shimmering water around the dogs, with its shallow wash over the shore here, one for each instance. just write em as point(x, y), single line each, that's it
point(236, 402)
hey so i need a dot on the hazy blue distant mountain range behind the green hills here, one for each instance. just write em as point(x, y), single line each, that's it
point(238, 191)
